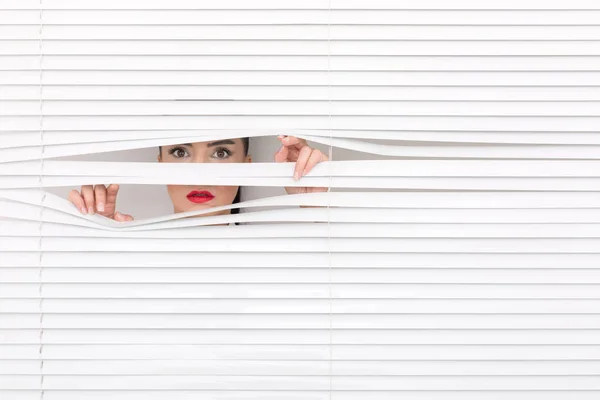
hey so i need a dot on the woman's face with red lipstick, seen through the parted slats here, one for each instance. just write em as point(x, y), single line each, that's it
point(192, 197)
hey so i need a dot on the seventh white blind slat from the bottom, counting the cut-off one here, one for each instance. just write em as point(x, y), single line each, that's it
point(298, 306)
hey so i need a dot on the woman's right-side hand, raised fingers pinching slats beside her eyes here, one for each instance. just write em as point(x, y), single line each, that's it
point(295, 149)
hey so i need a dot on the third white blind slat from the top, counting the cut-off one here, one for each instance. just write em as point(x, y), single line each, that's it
point(301, 32)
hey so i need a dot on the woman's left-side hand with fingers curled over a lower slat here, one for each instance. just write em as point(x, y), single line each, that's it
point(98, 199)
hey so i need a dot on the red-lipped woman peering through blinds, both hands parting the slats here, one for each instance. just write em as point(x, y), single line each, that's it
point(102, 200)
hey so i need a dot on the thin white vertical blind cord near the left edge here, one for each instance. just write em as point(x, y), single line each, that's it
point(43, 198)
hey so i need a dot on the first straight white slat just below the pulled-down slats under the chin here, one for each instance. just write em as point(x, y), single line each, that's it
point(28, 228)
